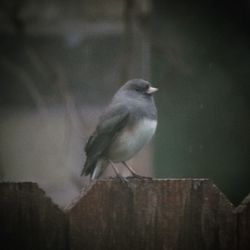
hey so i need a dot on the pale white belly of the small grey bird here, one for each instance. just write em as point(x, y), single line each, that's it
point(132, 141)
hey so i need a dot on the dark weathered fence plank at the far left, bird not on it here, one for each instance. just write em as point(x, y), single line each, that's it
point(29, 220)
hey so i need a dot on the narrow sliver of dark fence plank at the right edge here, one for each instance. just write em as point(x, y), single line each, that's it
point(243, 213)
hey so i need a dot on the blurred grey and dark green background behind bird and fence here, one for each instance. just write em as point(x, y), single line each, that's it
point(61, 62)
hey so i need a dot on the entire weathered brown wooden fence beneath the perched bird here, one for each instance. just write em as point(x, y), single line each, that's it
point(190, 214)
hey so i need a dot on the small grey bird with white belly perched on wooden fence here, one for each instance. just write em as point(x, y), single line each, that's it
point(126, 126)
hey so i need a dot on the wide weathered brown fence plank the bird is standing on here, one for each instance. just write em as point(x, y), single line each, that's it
point(152, 214)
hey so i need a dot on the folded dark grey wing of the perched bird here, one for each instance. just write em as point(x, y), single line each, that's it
point(109, 127)
